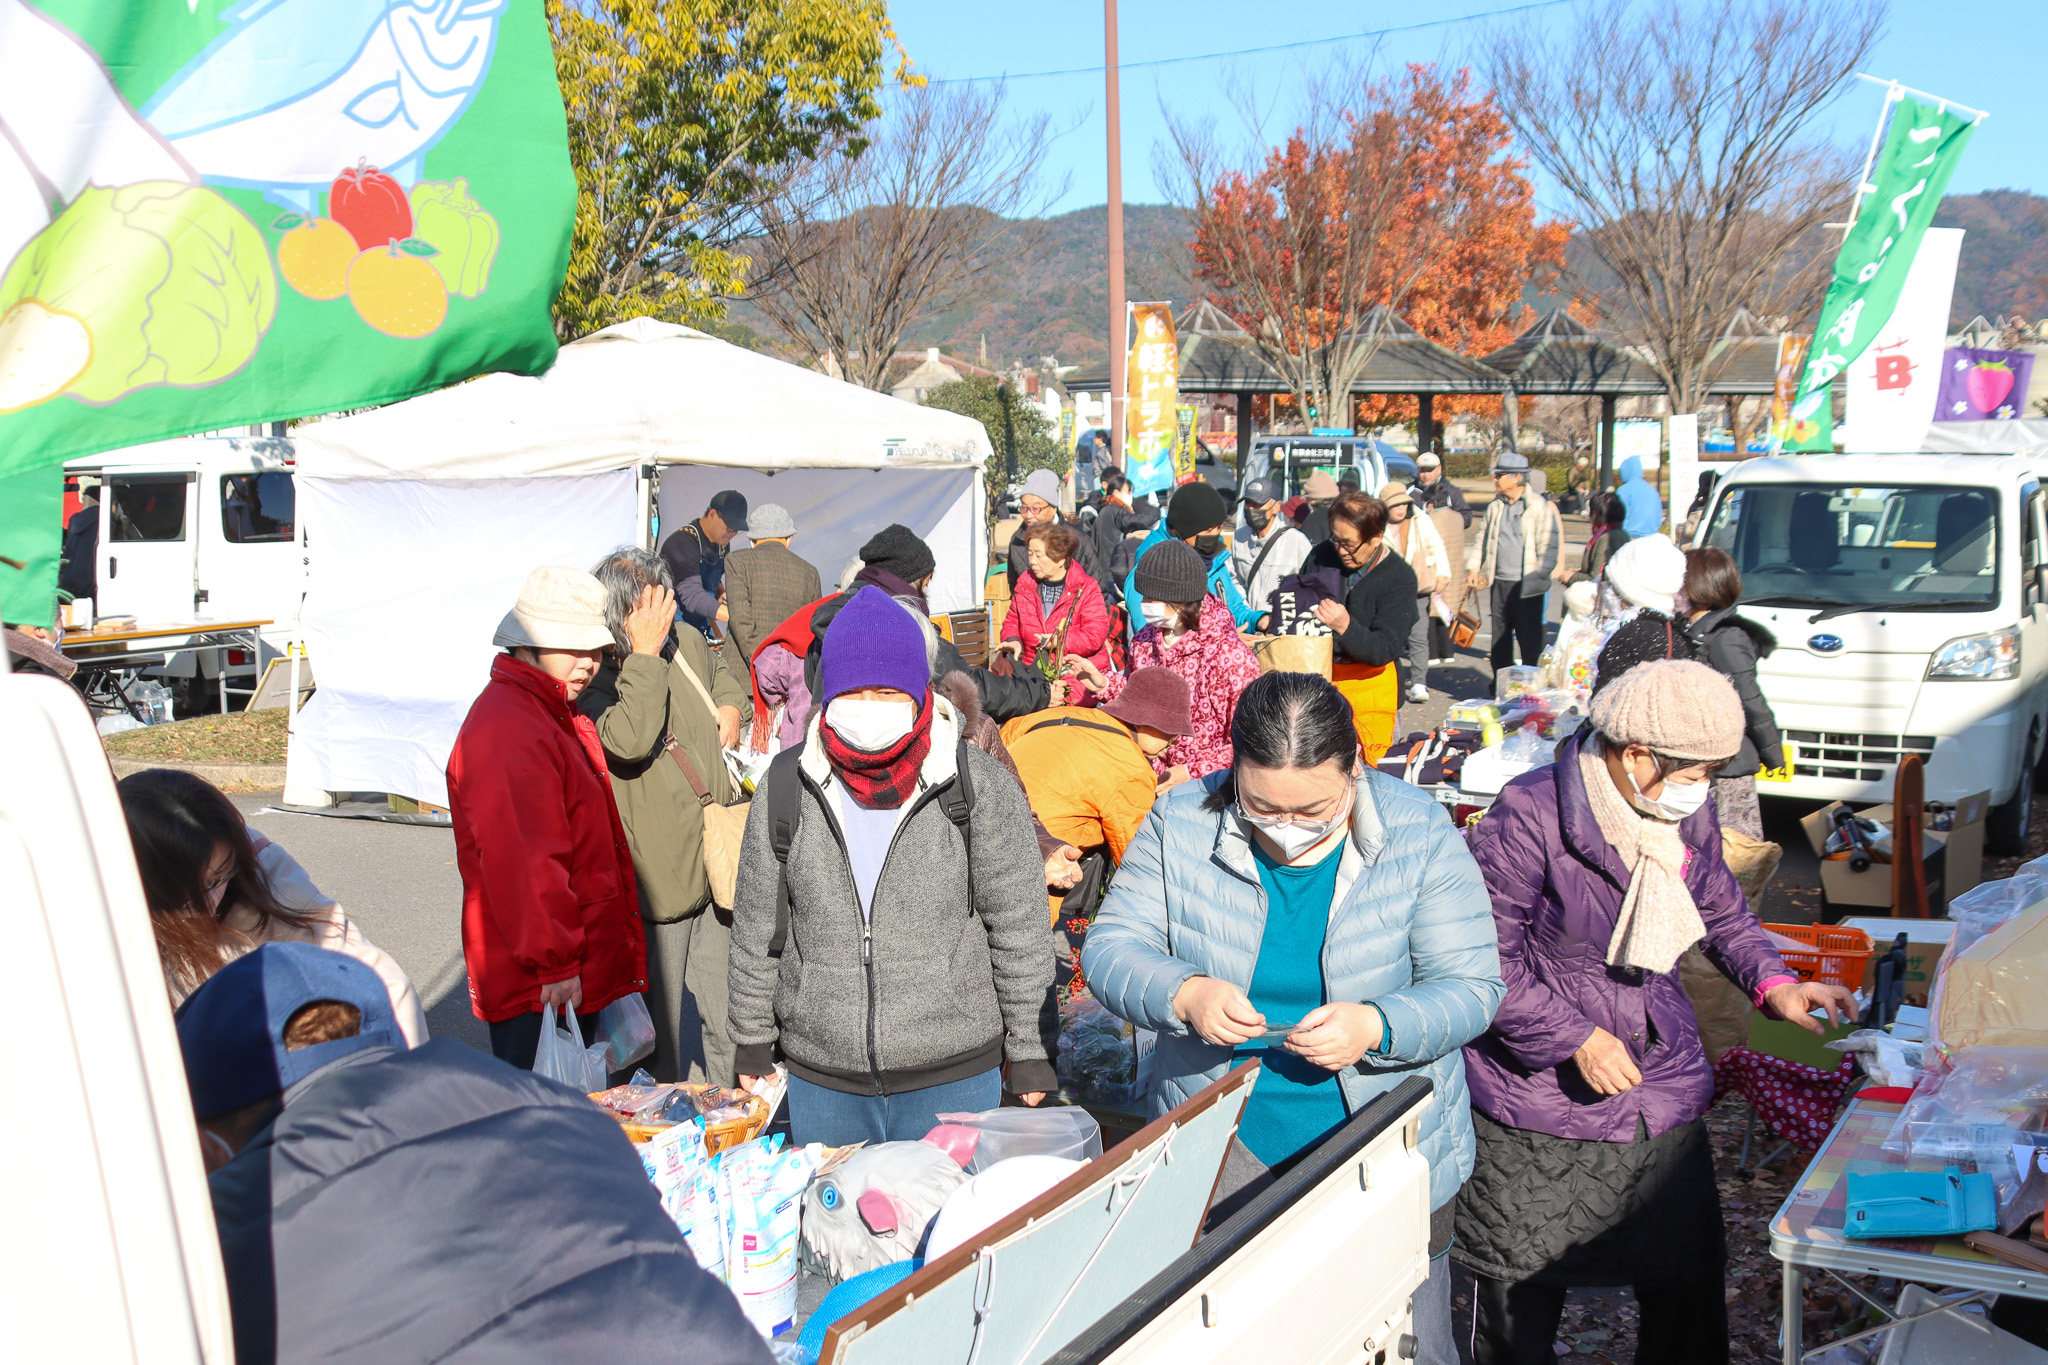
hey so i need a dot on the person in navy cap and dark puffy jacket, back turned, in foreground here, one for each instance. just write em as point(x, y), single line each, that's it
point(378, 1204)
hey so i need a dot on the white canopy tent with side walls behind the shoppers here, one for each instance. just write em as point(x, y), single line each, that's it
point(421, 521)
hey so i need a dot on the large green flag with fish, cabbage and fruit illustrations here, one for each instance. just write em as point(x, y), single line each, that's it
point(228, 212)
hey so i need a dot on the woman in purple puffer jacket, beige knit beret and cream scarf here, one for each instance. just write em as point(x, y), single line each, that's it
point(1590, 1088)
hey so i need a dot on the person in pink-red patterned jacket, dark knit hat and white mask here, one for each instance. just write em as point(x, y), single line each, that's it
point(1191, 631)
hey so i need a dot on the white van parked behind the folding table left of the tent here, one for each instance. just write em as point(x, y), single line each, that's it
point(200, 529)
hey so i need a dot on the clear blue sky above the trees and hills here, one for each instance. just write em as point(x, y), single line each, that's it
point(1938, 48)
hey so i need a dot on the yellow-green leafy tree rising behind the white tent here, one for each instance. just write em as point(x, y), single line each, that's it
point(685, 116)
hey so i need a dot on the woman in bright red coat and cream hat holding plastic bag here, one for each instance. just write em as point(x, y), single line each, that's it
point(550, 904)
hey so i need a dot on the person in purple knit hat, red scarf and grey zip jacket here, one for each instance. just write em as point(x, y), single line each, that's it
point(900, 961)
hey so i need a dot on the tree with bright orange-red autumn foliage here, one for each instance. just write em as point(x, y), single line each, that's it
point(1390, 195)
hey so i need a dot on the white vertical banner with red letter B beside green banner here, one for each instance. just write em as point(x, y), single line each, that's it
point(1893, 384)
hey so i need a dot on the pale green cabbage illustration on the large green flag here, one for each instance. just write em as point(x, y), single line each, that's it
point(155, 283)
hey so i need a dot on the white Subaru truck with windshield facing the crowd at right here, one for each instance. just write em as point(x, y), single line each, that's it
point(1912, 613)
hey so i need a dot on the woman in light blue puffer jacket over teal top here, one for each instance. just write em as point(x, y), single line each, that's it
point(1312, 914)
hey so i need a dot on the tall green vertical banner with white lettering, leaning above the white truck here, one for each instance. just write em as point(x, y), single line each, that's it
point(1908, 179)
